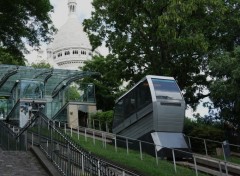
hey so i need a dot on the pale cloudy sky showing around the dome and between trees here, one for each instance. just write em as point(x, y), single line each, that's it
point(84, 9)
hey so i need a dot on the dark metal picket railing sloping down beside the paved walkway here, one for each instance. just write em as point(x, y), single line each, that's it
point(68, 156)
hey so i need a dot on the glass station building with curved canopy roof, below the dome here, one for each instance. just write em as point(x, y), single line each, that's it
point(54, 92)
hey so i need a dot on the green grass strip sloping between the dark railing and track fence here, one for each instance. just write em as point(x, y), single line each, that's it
point(148, 166)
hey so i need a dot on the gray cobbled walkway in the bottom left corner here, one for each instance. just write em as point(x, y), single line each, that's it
point(16, 163)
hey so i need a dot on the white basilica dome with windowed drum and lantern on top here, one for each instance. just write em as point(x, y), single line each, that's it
point(71, 46)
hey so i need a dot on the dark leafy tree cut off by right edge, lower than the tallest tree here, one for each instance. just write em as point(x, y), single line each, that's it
point(225, 95)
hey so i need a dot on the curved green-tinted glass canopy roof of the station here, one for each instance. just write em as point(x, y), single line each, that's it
point(54, 79)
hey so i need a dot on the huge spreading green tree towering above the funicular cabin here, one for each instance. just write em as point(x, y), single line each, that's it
point(173, 38)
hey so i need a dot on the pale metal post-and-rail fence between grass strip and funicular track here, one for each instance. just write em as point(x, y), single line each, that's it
point(220, 166)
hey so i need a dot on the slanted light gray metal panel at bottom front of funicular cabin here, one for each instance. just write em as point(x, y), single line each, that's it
point(168, 140)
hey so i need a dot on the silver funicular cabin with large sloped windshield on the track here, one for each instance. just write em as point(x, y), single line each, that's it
point(153, 110)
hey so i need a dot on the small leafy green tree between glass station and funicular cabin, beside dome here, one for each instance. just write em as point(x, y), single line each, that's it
point(107, 83)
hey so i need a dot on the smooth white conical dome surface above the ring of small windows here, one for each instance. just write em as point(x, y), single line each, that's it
point(71, 35)
